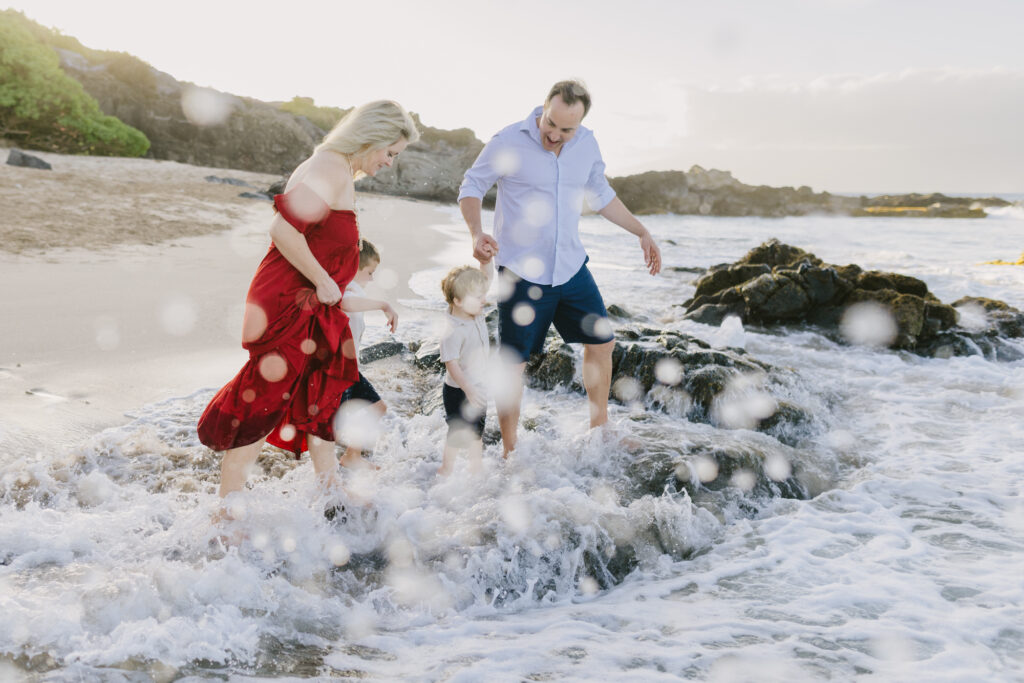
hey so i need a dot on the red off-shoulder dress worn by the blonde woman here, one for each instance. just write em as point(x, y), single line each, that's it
point(302, 354)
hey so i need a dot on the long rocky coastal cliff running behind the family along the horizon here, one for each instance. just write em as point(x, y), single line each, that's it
point(203, 127)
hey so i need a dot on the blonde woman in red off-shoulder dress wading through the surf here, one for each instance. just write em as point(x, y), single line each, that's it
point(302, 356)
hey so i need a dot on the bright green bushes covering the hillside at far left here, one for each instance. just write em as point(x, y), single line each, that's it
point(41, 108)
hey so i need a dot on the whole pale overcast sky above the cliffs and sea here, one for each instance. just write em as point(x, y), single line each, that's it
point(845, 96)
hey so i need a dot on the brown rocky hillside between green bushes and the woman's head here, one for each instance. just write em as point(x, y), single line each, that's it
point(195, 125)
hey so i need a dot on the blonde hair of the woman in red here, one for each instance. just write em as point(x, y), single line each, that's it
point(370, 127)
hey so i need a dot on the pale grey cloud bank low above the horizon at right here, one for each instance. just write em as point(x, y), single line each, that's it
point(945, 130)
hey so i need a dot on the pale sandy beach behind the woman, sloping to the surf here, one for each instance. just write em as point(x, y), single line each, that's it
point(123, 283)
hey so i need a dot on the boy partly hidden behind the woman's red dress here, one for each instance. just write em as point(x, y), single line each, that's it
point(355, 303)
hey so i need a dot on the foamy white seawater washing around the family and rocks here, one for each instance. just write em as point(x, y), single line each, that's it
point(575, 561)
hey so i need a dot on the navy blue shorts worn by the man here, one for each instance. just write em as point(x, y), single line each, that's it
point(576, 308)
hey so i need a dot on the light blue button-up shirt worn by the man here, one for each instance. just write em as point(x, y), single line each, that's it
point(540, 199)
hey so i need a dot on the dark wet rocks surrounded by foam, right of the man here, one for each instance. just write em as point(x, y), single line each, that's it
point(780, 284)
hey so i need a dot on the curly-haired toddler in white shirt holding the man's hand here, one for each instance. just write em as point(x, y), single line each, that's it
point(464, 349)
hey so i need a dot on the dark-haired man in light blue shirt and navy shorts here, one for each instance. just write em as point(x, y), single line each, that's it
point(546, 167)
